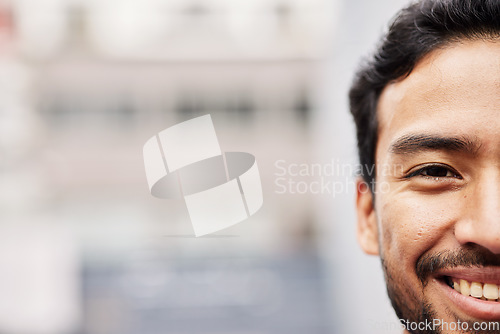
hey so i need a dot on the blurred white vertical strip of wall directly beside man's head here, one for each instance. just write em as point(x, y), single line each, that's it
point(358, 293)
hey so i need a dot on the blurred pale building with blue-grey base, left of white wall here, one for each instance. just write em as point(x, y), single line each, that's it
point(98, 78)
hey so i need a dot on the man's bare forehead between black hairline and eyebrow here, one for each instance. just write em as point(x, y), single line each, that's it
point(452, 91)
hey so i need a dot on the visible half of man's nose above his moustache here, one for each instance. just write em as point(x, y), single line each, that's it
point(480, 223)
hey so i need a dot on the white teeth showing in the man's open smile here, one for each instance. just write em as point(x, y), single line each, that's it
point(479, 290)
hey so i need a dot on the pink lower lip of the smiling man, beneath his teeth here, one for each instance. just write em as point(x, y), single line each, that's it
point(477, 308)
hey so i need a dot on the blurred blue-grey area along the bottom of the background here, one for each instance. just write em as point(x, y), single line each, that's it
point(207, 295)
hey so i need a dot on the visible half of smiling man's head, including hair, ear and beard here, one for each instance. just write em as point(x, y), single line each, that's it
point(427, 111)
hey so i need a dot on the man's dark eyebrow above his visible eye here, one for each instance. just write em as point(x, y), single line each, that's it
point(416, 143)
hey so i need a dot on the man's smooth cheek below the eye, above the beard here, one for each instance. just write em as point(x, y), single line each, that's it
point(413, 224)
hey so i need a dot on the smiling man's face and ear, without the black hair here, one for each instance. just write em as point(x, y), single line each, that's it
point(436, 214)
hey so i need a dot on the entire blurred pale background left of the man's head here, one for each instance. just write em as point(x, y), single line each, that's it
point(85, 248)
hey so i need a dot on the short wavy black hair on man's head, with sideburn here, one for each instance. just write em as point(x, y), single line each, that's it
point(416, 30)
